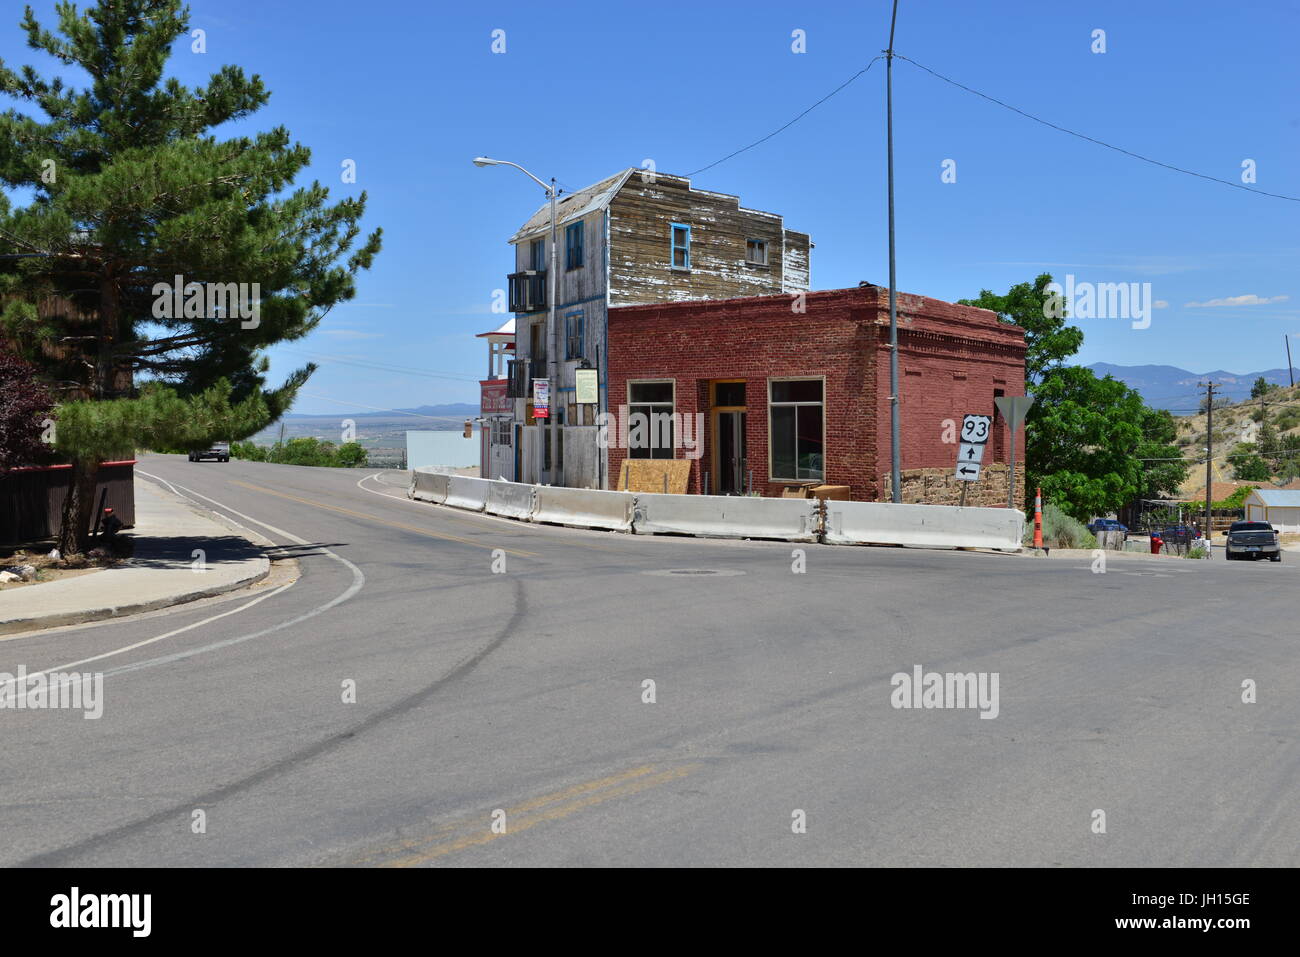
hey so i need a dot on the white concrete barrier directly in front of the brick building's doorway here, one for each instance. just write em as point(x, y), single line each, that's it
point(727, 517)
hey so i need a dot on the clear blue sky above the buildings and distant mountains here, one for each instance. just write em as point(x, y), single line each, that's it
point(411, 92)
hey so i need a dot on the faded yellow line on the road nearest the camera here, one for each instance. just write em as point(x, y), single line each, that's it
point(548, 808)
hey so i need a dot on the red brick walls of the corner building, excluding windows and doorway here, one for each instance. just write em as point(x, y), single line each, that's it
point(952, 358)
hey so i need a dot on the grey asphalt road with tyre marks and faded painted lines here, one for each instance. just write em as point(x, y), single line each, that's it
point(519, 694)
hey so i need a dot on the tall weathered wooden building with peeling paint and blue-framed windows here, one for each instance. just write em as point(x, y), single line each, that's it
point(635, 239)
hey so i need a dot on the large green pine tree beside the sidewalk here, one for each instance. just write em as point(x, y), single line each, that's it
point(135, 197)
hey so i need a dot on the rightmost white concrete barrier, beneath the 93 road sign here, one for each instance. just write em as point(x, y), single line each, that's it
point(933, 526)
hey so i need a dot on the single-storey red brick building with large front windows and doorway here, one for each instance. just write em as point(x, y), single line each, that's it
point(790, 397)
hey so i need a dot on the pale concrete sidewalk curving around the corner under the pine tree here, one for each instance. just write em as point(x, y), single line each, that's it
point(161, 574)
